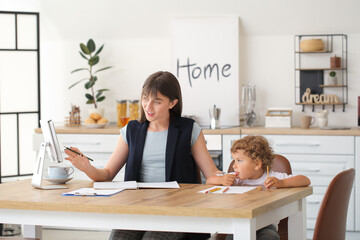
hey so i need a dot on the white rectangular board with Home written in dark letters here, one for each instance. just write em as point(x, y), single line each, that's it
point(205, 59)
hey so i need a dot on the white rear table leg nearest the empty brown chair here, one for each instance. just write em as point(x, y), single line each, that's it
point(297, 222)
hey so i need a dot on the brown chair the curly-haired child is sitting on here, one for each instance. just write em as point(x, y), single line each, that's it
point(280, 164)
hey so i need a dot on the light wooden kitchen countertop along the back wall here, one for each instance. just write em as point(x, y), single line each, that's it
point(113, 129)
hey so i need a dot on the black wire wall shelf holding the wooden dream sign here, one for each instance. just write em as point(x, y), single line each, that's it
point(313, 67)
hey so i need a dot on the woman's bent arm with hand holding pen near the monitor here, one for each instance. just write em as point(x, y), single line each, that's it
point(112, 167)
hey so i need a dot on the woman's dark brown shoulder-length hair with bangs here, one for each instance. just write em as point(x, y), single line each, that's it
point(167, 84)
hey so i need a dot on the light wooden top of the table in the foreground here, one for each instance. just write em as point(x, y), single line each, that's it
point(185, 201)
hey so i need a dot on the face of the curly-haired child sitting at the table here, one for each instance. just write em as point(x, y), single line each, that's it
point(245, 166)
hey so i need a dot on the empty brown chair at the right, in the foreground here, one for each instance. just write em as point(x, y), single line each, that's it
point(331, 220)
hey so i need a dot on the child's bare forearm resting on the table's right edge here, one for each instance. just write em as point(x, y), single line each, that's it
point(296, 181)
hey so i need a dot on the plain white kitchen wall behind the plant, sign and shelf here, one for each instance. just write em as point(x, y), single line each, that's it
point(137, 42)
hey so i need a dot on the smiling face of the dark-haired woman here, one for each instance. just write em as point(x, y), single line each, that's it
point(157, 107)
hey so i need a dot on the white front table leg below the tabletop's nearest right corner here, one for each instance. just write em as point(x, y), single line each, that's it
point(244, 229)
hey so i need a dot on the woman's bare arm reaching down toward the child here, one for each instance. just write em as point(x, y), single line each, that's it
point(206, 164)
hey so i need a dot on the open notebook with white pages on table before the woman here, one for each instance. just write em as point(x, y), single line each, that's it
point(134, 185)
